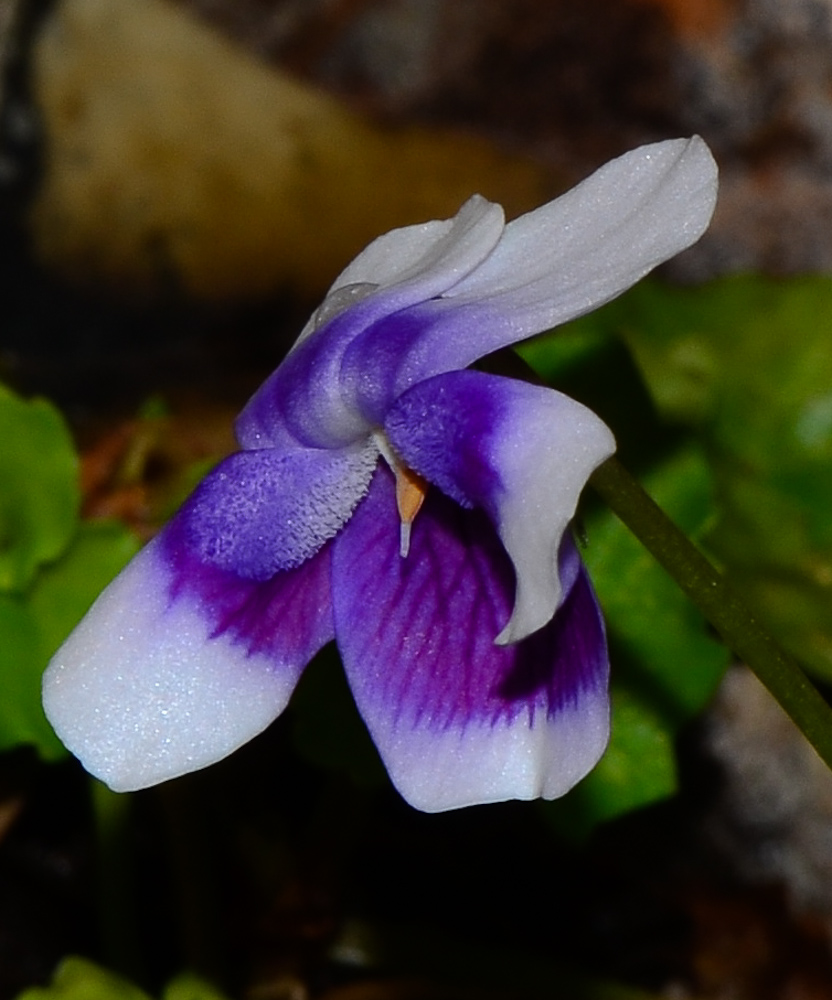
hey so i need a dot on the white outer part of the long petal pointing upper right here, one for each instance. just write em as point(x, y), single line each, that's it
point(587, 246)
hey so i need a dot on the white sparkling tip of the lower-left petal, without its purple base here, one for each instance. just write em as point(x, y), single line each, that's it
point(140, 695)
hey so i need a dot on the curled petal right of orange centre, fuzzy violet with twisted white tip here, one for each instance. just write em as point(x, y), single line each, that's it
point(521, 452)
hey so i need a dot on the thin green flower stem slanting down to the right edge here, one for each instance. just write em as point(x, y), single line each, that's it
point(718, 602)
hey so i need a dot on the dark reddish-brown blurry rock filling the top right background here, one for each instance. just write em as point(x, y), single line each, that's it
point(577, 83)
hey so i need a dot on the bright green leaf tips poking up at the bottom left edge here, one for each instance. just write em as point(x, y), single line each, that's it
point(78, 979)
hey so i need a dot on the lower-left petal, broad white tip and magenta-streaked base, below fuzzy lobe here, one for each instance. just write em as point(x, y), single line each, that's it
point(177, 664)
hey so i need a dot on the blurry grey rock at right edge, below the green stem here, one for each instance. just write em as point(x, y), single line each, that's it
point(773, 820)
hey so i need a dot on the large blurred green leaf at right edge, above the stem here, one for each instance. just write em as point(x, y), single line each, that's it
point(747, 362)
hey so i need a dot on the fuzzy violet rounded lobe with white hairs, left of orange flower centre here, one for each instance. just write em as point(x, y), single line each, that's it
point(260, 512)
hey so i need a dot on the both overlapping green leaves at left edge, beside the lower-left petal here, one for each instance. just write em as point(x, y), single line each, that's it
point(52, 565)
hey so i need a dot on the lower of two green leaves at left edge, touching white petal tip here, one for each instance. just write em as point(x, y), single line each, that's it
point(33, 626)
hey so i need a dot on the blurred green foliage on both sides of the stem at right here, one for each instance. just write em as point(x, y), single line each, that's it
point(736, 445)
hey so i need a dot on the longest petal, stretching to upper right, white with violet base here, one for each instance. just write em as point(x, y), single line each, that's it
point(552, 265)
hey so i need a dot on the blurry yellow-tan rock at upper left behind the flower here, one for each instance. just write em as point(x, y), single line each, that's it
point(178, 163)
